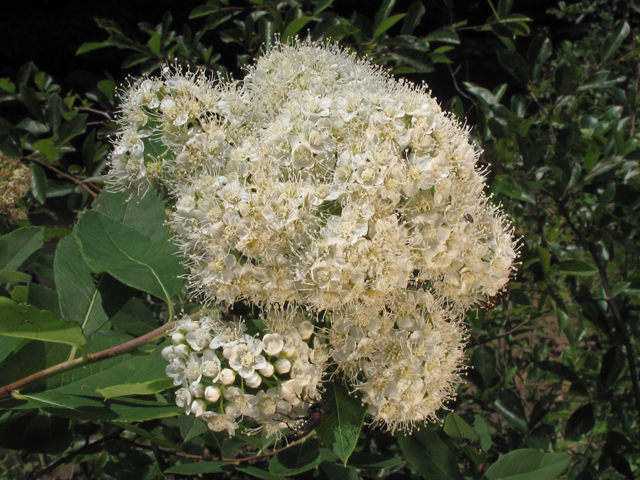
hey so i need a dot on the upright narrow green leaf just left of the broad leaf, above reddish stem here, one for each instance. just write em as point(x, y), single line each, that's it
point(80, 299)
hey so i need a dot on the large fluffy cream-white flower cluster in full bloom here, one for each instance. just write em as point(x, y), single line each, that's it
point(321, 184)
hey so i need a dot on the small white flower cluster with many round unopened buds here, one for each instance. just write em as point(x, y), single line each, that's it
point(224, 374)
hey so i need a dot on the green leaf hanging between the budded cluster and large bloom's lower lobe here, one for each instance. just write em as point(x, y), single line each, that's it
point(343, 419)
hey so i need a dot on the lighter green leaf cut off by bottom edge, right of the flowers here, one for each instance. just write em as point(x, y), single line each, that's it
point(526, 464)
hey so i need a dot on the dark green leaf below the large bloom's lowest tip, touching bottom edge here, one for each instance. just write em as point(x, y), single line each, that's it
point(429, 455)
